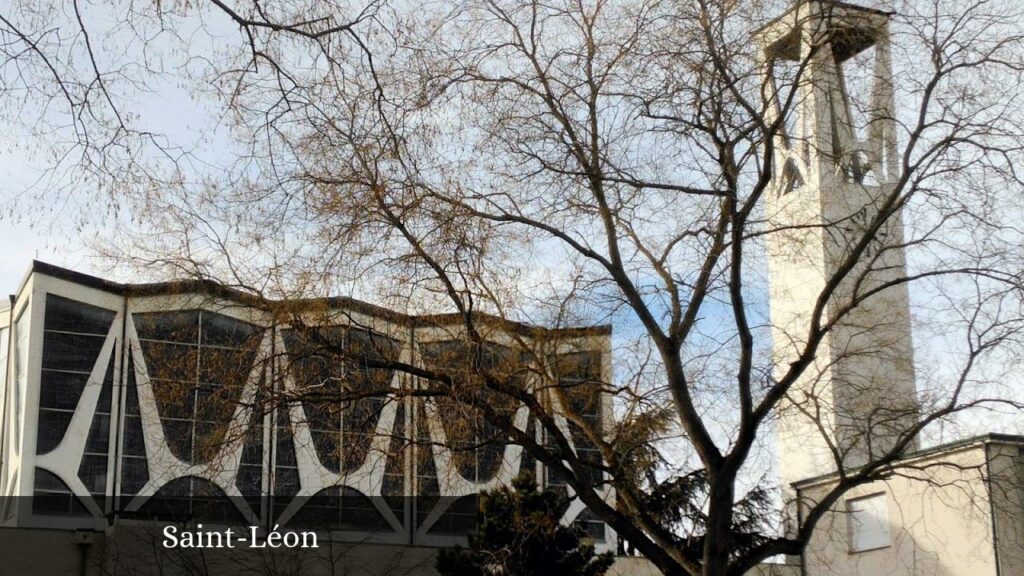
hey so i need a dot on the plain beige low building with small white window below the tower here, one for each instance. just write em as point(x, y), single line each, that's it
point(940, 516)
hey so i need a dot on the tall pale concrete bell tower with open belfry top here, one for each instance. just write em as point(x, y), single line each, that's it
point(835, 163)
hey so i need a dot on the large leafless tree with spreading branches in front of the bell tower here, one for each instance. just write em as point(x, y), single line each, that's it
point(639, 163)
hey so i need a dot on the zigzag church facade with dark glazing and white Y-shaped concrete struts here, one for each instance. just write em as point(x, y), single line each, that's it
point(126, 403)
